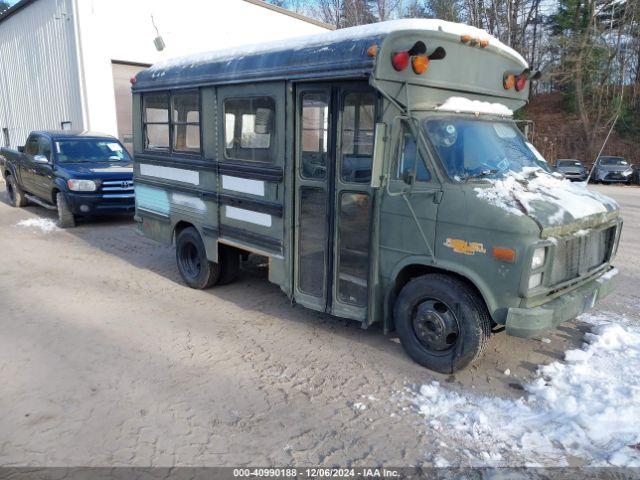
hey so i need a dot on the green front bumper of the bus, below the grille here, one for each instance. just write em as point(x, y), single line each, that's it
point(528, 322)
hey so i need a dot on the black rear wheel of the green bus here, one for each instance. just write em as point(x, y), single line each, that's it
point(194, 266)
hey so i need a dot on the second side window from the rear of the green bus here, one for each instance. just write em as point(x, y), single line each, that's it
point(186, 122)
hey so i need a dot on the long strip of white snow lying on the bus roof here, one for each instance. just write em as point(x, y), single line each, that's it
point(352, 33)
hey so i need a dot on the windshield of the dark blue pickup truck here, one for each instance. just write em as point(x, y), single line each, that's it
point(90, 150)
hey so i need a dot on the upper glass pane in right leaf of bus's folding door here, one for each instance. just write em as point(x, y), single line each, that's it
point(358, 123)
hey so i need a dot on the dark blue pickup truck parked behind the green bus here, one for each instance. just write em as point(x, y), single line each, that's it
point(75, 173)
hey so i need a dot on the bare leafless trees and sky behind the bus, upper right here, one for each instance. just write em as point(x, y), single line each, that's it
point(587, 50)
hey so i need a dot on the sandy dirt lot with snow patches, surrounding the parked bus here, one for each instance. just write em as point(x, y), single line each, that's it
point(107, 359)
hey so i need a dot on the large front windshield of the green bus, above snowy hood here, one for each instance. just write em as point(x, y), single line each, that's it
point(471, 148)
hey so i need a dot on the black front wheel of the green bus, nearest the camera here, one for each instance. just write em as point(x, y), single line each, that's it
point(443, 324)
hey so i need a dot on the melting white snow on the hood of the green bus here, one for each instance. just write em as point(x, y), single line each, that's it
point(518, 193)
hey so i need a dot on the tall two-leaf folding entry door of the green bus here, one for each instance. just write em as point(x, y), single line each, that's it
point(334, 151)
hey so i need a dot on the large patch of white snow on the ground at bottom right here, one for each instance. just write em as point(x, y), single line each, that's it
point(587, 407)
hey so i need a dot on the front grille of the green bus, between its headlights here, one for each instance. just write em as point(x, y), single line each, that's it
point(577, 256)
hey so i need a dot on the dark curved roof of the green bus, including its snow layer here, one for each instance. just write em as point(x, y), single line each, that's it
point(338, 54)
